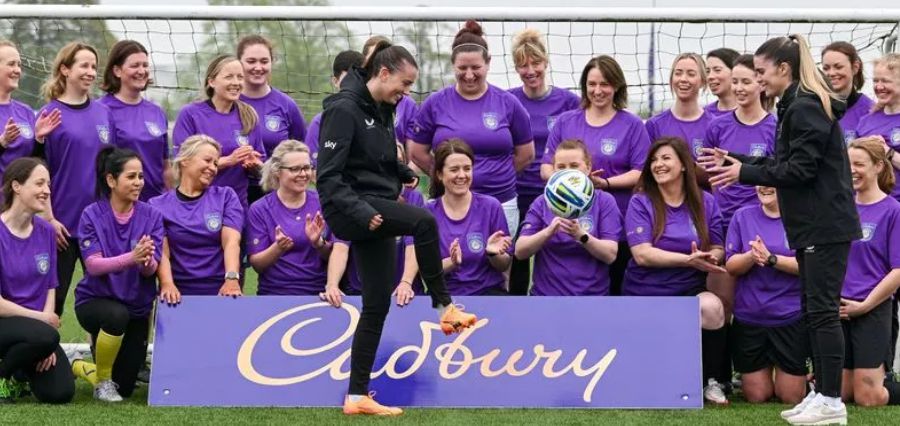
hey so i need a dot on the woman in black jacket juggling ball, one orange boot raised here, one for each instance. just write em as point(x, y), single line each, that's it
point(359, 182)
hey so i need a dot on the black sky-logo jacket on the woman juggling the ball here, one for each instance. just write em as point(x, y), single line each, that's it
point(357, 153)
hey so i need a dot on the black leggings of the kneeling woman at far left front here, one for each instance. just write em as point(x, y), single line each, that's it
point(23, 343)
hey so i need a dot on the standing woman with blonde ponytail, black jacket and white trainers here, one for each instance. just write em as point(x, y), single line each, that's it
point(812, 173)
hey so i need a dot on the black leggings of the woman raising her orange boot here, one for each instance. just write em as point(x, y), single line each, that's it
point(375, 254)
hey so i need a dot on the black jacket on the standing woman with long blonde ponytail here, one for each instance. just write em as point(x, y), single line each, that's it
point(811, 171)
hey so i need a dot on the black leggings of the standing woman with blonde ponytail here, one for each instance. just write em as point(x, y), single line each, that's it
point(822, 270)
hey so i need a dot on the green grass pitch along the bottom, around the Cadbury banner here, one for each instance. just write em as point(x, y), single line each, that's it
point(85, 411)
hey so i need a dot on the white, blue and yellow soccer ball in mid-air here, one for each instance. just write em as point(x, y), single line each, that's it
point(569, 193)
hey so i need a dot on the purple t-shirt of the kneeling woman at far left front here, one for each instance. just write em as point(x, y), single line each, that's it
point(27, 276)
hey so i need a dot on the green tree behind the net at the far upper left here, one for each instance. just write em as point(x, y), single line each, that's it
point(39, 40)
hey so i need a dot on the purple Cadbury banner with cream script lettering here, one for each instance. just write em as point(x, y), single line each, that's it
point(612, 352)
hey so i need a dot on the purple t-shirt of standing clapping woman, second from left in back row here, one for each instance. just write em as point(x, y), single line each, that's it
point(71, 151)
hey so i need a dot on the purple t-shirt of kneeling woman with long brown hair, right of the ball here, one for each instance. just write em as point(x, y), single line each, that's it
point(678, 233)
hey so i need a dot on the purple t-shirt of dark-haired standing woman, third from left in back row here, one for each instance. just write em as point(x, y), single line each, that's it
point(143, 128)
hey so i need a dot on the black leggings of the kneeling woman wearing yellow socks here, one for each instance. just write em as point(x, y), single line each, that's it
point(112, 317)
